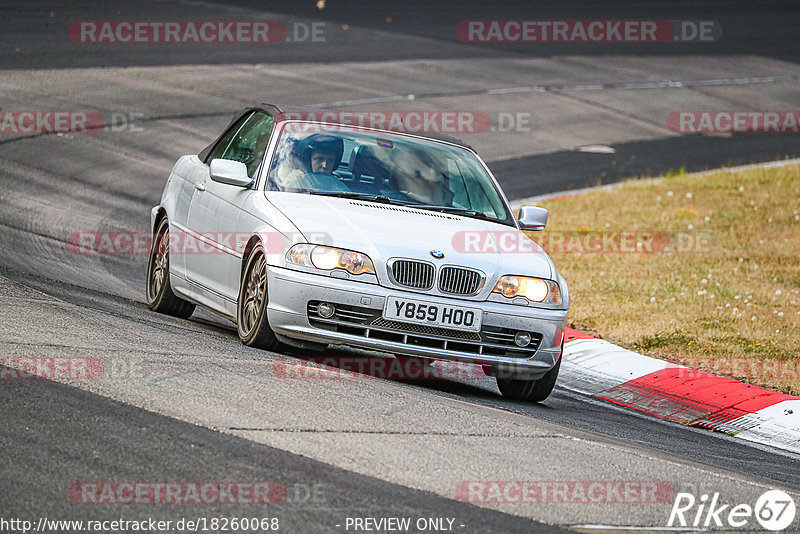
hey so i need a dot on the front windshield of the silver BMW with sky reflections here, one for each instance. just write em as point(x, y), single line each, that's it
point(383, 167)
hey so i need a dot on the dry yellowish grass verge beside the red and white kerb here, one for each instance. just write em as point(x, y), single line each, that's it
point(709, 274)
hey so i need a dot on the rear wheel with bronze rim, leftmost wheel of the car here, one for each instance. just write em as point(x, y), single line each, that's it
point(160, 297)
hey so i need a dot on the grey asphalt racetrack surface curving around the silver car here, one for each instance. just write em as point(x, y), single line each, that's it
point(185, 401)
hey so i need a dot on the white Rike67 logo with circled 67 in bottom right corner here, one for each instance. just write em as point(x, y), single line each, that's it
point(774, 510)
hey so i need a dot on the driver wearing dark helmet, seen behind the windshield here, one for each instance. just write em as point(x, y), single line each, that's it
point(318, 156)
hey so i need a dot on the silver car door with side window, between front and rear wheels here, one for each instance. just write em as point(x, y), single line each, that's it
point(215, 208)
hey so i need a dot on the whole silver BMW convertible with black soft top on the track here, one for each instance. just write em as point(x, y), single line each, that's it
point(311, 233)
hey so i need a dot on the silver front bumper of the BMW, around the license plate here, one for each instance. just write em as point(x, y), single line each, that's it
point(292, 295)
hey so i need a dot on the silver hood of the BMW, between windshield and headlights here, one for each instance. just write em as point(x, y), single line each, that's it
point(385, 231)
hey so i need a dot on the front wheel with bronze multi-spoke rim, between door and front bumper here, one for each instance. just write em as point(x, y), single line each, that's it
point(251, 307)
